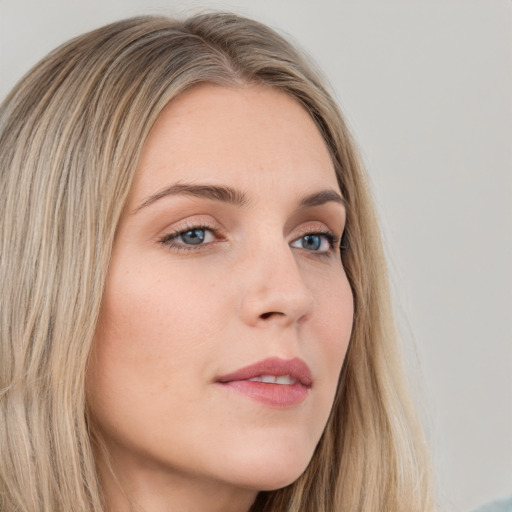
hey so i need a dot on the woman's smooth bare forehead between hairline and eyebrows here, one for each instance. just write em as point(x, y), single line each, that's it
point(246, 137)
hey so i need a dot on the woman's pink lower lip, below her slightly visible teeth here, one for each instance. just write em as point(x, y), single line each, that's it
point(279, 396)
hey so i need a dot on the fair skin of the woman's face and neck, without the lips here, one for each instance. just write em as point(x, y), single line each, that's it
point(177, 316)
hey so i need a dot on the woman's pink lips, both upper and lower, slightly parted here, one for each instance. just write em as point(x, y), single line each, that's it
point(271, 394)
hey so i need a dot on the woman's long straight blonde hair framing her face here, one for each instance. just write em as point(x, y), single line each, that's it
point(71, 132)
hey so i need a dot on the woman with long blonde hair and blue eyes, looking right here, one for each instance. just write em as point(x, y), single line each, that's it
point(195, 313)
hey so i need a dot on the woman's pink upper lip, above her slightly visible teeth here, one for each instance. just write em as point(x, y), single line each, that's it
point(295, 368)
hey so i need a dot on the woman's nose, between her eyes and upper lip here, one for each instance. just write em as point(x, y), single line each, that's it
point(275, 292)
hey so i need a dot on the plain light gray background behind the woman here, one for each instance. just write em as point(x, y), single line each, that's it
point(427, 88)
